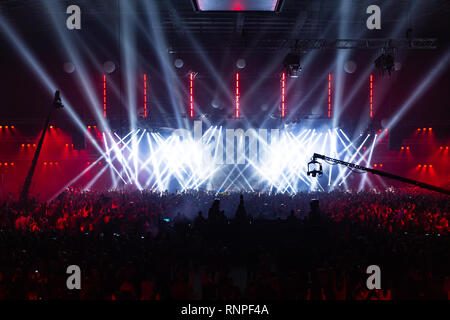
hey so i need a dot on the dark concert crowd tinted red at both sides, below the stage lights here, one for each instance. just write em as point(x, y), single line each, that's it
point(150, 245)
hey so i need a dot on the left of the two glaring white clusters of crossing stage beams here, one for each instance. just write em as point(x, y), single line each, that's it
point(150, 161)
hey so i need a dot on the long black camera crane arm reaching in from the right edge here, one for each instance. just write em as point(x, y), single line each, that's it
point(381, 173)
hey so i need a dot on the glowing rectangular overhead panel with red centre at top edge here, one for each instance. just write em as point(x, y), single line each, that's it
point(237, 5)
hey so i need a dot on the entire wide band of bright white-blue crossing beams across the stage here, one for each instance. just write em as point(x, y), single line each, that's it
point(148, 160)
